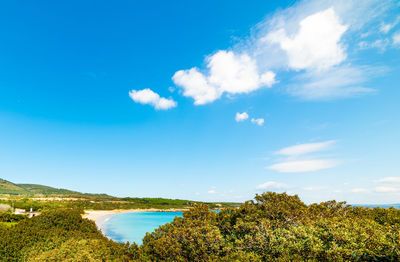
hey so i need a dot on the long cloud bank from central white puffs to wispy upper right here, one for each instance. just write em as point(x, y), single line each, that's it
point(312, 42)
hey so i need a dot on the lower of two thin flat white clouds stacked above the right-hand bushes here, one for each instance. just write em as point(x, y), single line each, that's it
point(301, 166)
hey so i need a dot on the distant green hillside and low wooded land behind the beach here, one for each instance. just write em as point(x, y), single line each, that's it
point(39, 198)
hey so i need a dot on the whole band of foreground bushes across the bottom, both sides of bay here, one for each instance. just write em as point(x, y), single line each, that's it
point(274, 227)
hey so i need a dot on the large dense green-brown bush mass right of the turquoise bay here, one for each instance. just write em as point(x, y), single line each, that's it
point(279, 227)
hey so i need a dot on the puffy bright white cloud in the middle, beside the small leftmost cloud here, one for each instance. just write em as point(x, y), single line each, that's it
point(228, 72)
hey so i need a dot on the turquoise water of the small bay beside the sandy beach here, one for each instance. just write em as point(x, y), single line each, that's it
point(133, 226)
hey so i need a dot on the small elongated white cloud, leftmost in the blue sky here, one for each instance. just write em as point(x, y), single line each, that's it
point(147, 96)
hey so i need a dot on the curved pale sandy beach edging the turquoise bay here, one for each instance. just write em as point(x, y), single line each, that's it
point(100, 217)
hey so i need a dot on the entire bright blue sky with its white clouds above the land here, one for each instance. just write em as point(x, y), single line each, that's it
point(204, 100)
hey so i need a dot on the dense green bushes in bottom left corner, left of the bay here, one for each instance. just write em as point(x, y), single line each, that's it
point(62, 232)
